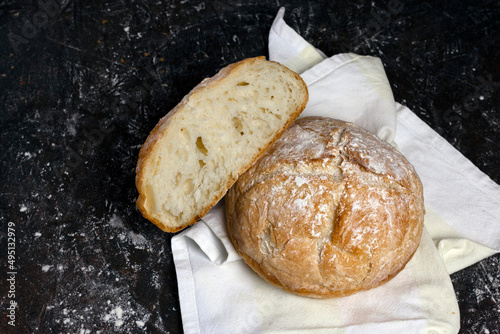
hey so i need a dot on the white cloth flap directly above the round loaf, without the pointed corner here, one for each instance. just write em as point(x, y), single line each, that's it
point(362, 93)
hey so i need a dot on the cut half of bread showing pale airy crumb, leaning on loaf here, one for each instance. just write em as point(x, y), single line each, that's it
point(197, 151)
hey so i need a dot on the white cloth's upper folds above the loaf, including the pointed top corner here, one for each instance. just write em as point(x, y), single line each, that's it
point(362, 95)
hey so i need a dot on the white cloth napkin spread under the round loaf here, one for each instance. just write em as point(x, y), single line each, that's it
point(220, 294)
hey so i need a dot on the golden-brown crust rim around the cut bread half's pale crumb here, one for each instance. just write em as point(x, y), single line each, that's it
point(163, 125)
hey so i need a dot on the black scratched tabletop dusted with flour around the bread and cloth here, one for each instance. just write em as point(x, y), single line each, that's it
point(82, 83)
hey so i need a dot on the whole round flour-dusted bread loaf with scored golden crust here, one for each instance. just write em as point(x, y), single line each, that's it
point(327, 211)
